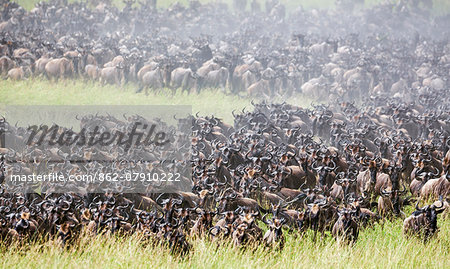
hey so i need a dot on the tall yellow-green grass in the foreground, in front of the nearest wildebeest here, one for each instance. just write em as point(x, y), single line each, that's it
point(378, 247)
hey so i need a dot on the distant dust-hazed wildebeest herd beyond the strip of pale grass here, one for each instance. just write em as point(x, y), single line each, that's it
point(388, 49)
